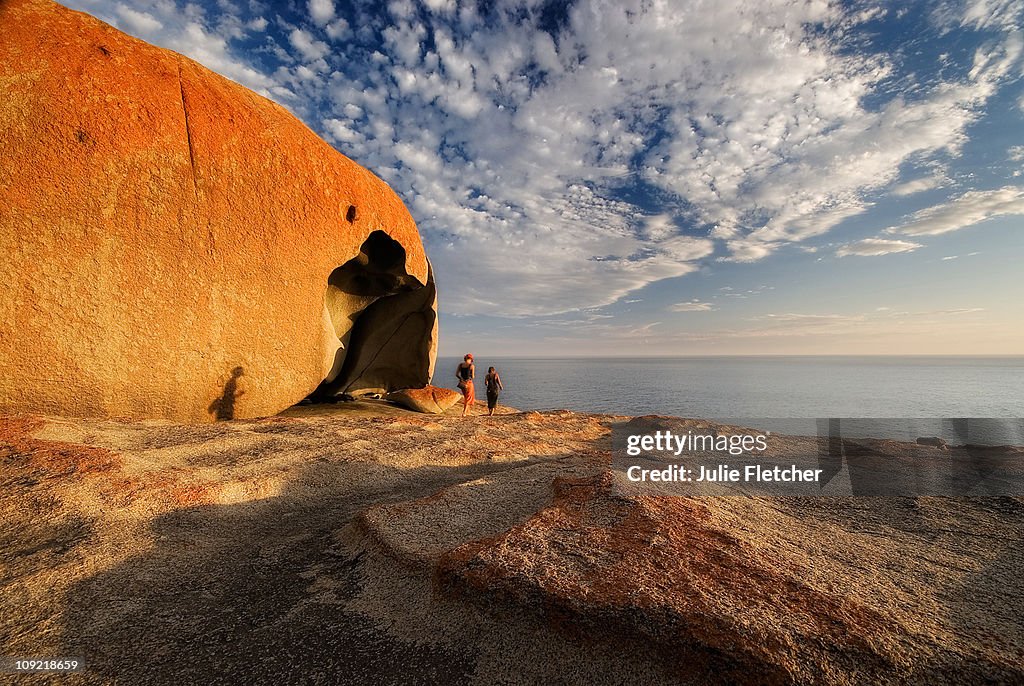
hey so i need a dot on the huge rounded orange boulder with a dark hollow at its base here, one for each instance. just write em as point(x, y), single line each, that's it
point(177, 246)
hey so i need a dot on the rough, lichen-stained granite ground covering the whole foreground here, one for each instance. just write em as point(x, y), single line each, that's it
point(365, 544)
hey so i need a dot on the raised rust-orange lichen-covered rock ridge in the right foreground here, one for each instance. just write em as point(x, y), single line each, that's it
point(658, 568)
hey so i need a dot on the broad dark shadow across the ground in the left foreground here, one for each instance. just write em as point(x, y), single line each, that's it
point(255, 593)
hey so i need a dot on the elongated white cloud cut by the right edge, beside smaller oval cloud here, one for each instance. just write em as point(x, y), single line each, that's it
point(967, 210)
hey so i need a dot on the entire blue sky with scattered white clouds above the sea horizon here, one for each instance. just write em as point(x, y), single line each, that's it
point(655, 179)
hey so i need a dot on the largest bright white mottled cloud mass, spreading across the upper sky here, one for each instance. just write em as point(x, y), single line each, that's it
point(753, 108)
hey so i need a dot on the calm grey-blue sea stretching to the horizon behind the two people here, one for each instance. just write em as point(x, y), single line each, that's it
point(901, 398)
